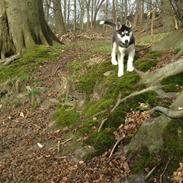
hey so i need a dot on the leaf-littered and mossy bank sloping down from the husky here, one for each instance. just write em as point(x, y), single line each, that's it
point(32, 149)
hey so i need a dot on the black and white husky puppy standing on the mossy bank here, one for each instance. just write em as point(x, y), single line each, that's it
point(123, 43)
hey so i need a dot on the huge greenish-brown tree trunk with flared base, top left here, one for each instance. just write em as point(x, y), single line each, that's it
point(22, 26)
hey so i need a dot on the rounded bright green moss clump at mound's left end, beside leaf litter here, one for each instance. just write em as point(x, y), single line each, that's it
point(66, 117)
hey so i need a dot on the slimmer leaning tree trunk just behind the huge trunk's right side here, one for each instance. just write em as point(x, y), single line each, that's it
point(58, 17)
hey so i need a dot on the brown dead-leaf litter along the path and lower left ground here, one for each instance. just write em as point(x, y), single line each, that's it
point(30, 144)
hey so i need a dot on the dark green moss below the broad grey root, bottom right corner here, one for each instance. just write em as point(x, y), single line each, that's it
point(172, 151)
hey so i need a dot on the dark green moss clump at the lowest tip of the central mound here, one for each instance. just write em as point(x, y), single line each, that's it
point(101, 140)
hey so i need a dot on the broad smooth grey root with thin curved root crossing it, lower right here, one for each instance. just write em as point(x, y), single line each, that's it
point(152, 130)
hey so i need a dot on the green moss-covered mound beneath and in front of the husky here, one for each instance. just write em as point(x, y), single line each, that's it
point(96, 78)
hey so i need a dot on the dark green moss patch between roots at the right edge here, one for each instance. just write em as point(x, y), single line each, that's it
point(173, 83)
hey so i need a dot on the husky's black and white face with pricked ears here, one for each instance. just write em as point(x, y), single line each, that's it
point(124, 33)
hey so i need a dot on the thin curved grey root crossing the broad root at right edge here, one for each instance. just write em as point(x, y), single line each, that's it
point(168, 112)
